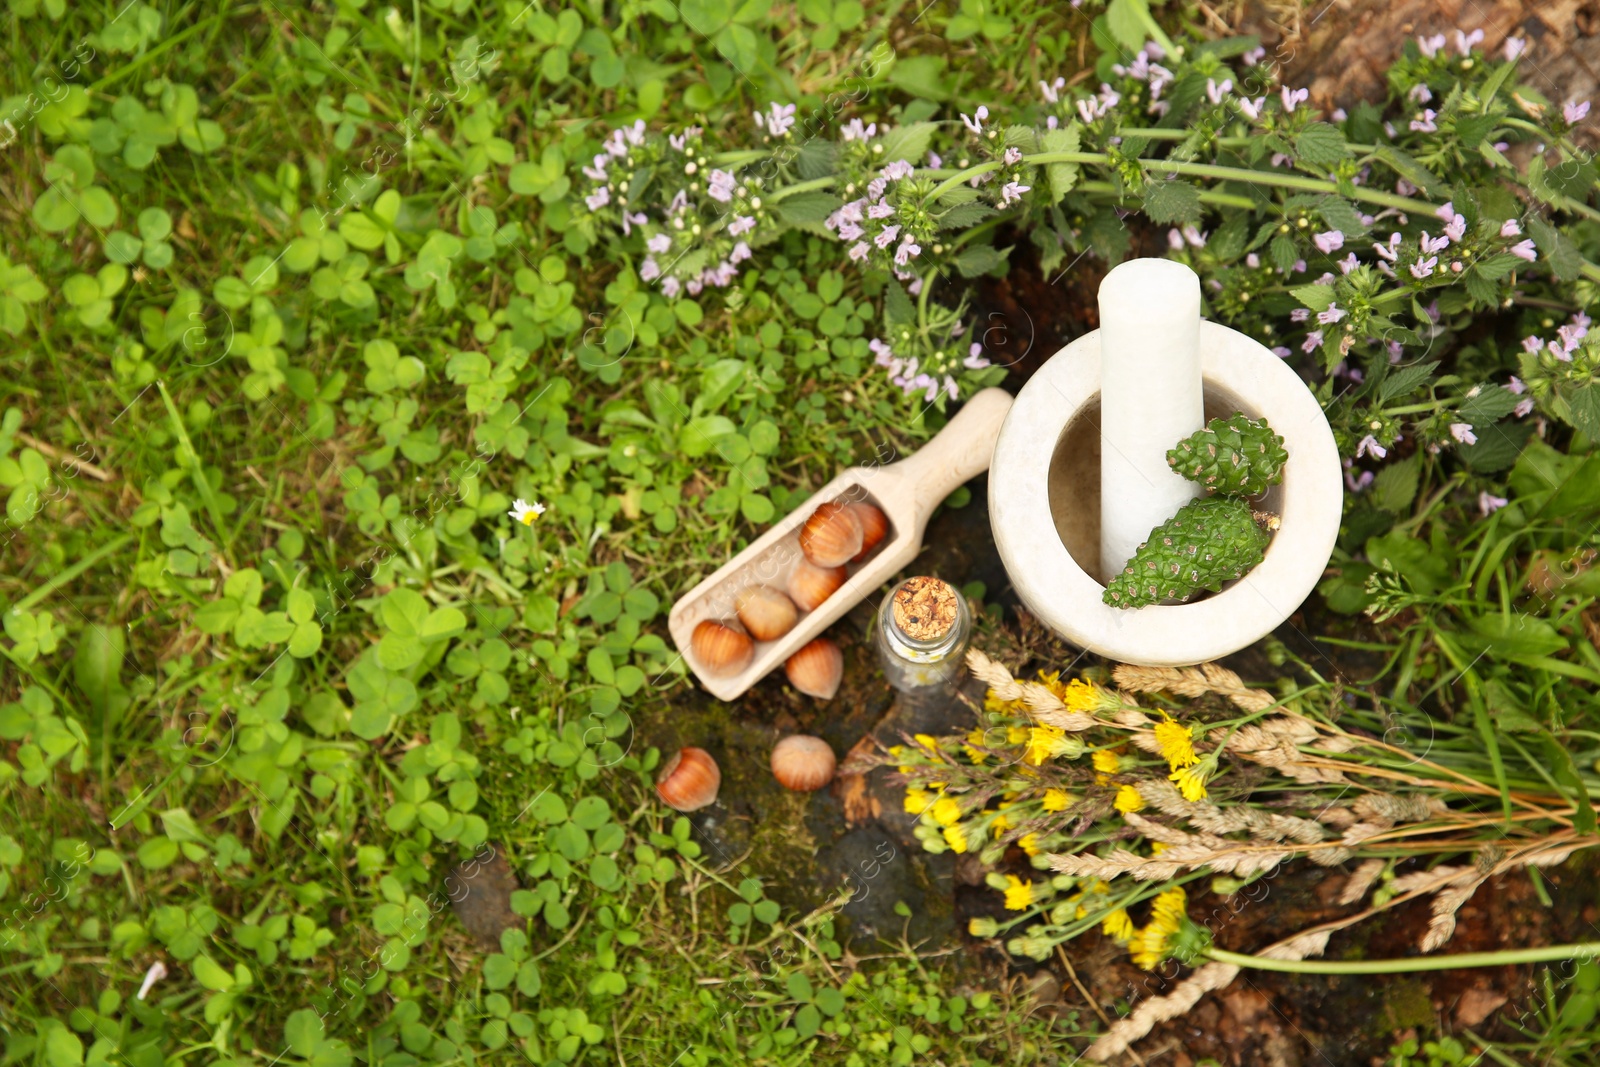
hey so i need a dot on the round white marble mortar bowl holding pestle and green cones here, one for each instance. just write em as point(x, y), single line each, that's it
point(1044, 494)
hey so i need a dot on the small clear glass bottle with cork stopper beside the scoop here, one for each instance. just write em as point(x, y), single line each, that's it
point(924, 629)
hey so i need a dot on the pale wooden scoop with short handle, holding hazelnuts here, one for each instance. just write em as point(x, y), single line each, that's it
point(906, 494)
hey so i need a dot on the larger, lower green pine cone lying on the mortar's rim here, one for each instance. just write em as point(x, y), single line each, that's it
point(1207, 543)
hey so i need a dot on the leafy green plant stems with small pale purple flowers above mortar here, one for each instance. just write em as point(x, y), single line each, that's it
point(1369, 241)
